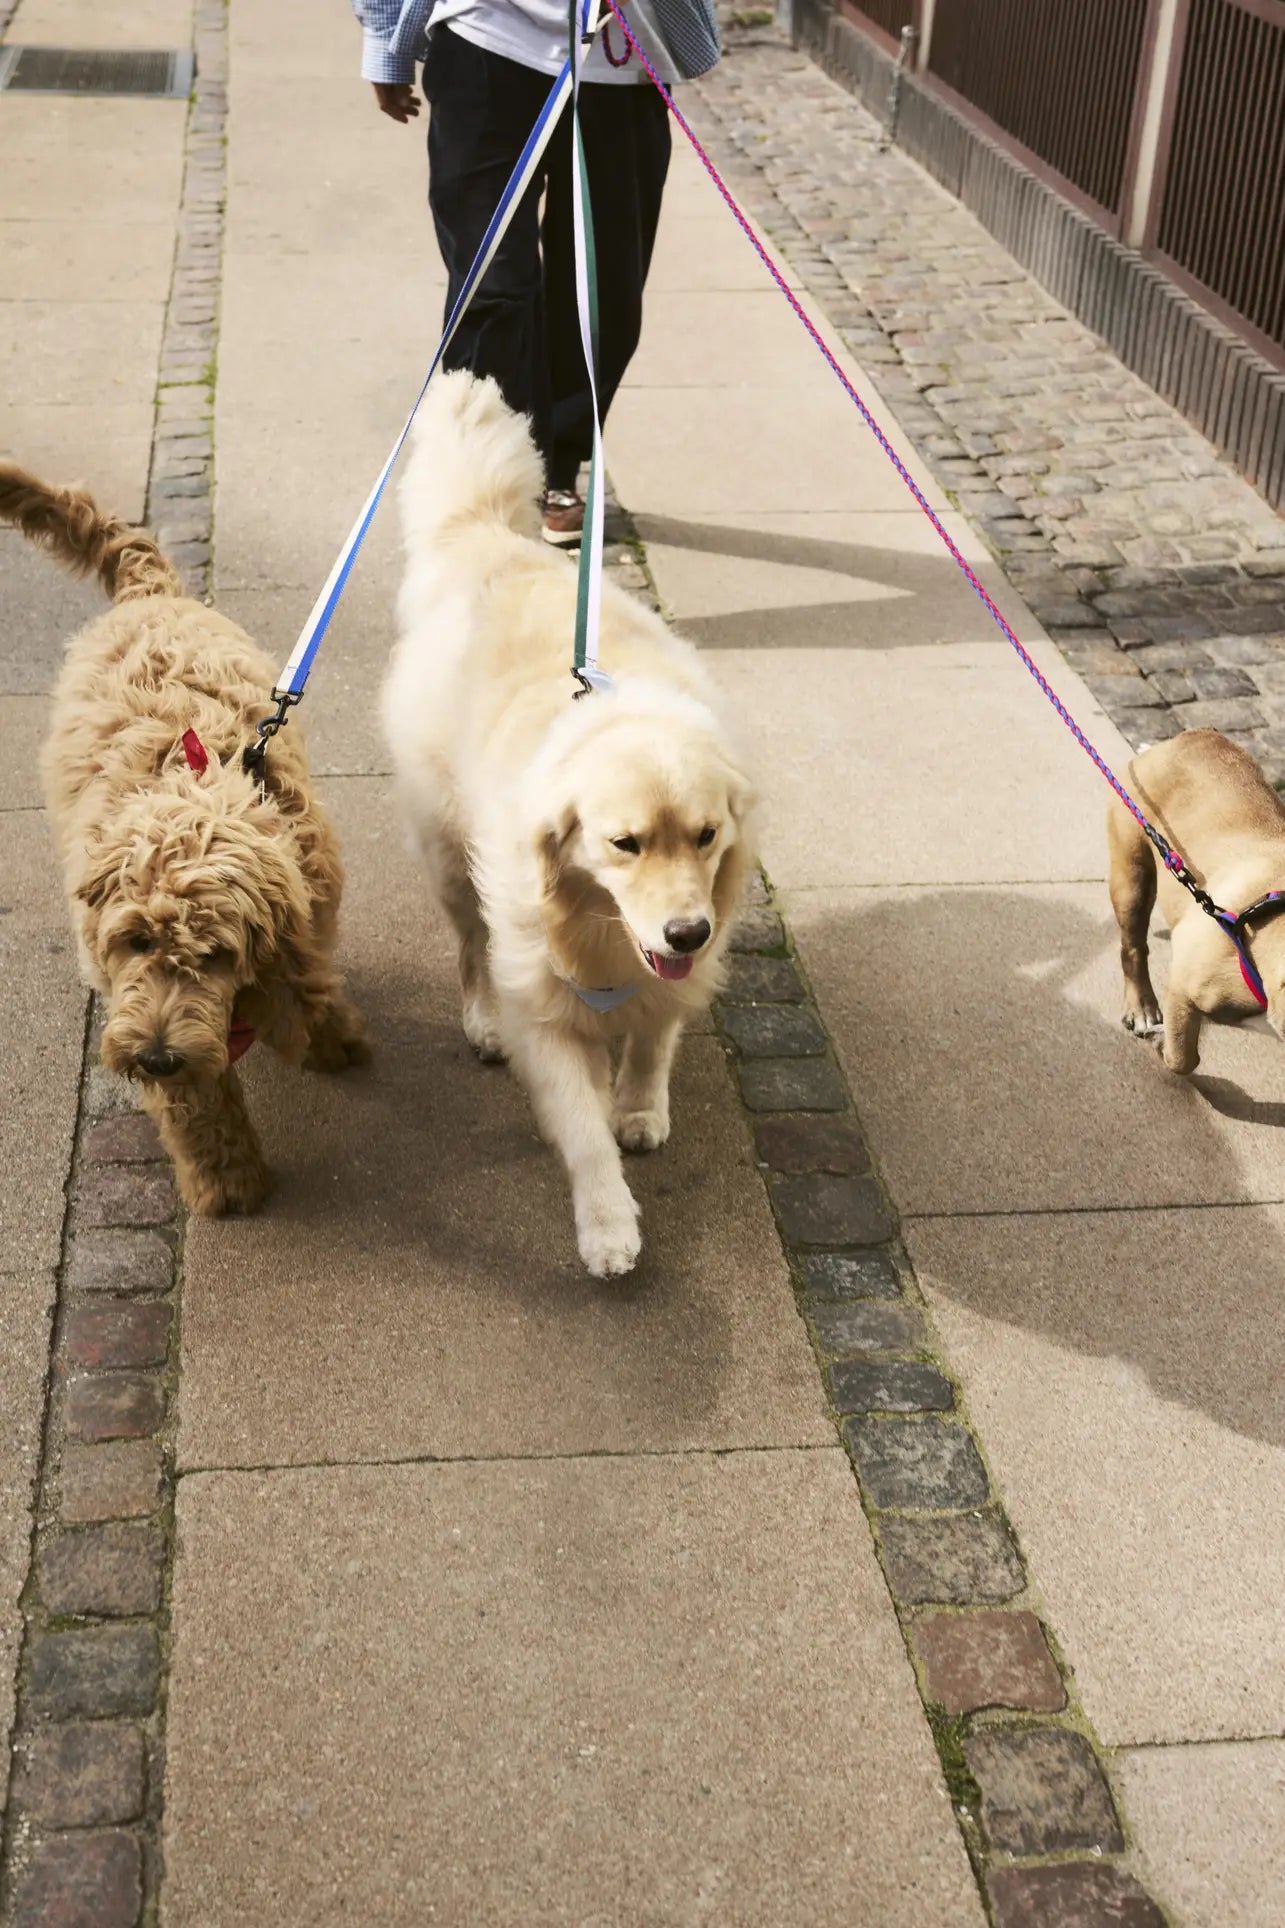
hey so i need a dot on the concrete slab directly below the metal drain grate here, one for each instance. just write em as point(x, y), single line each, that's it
point(51, 159)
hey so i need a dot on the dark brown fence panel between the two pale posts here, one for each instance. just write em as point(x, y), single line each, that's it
point(1058, 76)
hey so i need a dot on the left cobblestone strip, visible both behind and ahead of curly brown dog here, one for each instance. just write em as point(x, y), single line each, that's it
point(84, 1817)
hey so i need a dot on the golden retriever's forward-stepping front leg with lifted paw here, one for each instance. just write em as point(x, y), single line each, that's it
point(566, 1081)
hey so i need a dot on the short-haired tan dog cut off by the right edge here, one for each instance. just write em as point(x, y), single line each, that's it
point(1215, 807)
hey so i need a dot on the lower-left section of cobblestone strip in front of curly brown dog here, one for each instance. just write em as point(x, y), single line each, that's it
point(90, 1728)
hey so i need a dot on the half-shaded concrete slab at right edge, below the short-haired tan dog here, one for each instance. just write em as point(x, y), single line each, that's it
point(1143, 1352)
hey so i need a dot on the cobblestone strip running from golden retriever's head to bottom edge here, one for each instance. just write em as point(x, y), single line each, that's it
point(1025, 1775)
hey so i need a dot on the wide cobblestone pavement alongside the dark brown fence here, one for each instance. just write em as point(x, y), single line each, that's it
point(1157, 570)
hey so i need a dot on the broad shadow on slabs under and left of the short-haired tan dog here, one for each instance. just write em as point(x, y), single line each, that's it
point(1056, 1177)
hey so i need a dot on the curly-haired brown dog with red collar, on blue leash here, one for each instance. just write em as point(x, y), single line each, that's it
point(205, 911)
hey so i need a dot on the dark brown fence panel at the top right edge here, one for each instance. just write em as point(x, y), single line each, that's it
point(1222, 213)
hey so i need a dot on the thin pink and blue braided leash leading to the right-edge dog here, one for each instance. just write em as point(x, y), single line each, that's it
point(1232, 924)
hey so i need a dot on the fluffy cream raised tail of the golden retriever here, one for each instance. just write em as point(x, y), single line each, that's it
point(474, 462)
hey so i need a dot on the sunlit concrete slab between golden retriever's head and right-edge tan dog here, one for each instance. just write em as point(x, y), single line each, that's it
point(939, 747)
